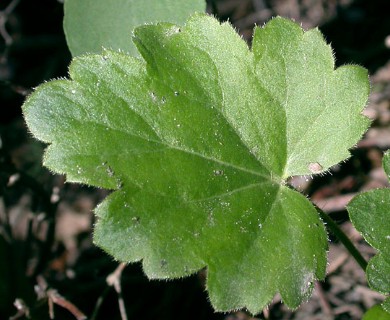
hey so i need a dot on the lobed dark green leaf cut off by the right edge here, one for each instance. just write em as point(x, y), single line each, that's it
point(369, 213)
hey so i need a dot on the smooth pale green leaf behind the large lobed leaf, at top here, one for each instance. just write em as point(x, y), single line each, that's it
point(90, 25)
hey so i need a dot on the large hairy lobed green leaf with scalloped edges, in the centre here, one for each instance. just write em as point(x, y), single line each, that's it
point(198, 139)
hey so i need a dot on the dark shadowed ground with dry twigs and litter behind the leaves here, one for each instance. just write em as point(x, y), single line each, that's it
point(48, 264)
